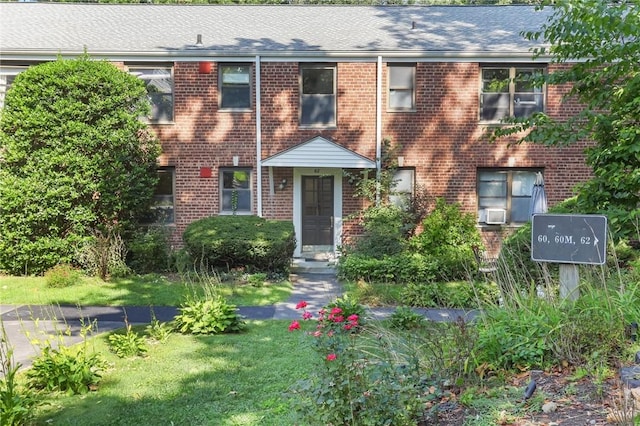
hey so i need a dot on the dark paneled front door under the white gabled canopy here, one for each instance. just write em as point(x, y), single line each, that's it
point(317, 210)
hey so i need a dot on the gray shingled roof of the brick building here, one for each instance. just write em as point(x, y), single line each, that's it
point(137, 29)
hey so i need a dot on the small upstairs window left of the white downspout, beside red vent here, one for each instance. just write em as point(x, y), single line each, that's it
point(235, 86)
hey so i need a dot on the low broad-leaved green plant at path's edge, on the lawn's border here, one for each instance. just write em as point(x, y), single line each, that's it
point(209, 316)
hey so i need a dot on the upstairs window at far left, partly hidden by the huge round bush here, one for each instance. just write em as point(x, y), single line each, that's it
point(159, 82)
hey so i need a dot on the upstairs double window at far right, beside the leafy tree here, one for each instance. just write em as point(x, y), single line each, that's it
point(510, 92)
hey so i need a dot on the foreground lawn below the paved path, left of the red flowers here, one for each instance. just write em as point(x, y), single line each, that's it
point(230, 379)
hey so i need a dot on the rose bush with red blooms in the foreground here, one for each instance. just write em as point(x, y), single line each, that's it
point(356, 381)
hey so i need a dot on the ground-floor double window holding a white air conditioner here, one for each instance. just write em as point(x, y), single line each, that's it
point(504, 195)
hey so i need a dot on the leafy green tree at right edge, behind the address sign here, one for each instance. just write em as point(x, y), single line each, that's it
point(599, 40)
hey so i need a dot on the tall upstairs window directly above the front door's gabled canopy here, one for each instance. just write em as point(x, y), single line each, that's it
point(318, 96)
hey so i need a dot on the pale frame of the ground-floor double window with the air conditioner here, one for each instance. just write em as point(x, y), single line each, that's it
point(513, 193)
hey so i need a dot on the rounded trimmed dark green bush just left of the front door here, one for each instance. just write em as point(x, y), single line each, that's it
point(241, 241)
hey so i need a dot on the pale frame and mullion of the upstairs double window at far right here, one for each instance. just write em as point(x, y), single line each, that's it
point(512, 96)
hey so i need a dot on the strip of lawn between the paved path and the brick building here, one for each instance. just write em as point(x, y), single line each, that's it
point(144, 290)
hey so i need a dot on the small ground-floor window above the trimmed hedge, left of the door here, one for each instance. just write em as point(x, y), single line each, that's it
point(235, 191)
